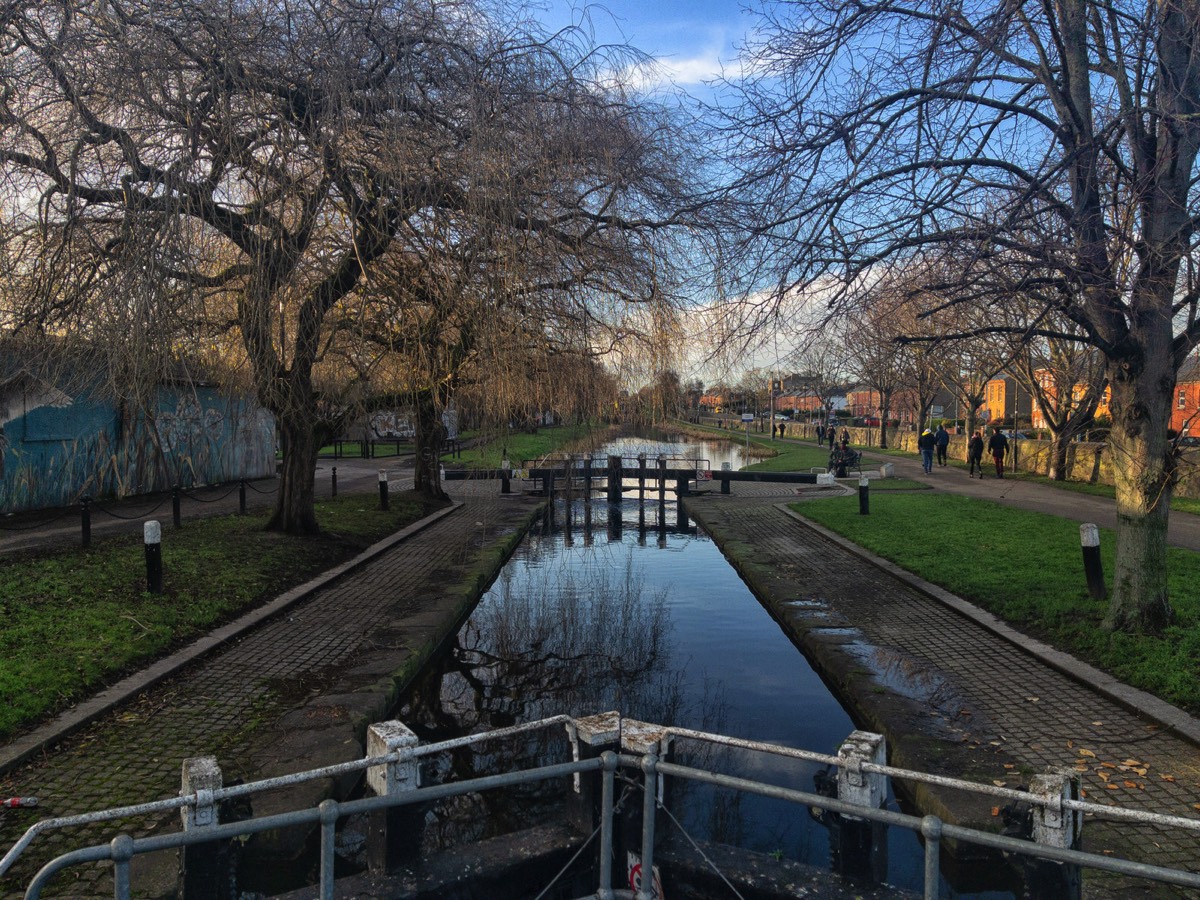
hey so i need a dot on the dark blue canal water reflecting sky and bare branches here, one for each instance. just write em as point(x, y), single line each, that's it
point(632, 608)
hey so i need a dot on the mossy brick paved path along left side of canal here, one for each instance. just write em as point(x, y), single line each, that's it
point(338, 644)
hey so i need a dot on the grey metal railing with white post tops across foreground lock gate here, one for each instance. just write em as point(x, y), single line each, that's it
point(617, 745)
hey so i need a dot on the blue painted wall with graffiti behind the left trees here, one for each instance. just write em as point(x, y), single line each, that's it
point(58, 449)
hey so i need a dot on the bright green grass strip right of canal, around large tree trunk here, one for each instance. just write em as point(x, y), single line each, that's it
point(1027, 568)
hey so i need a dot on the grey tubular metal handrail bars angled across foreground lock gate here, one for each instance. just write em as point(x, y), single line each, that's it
point(123, 848)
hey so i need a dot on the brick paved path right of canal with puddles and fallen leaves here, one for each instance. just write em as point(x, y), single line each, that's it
point(994, 707)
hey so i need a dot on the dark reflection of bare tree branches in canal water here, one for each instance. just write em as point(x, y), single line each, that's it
point(581, 643)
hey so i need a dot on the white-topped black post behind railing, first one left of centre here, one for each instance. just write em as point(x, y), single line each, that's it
point(394, 836)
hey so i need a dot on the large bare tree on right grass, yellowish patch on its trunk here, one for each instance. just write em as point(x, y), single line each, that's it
point(1064, 136)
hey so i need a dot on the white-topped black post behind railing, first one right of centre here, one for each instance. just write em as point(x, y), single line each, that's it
point(861, 847)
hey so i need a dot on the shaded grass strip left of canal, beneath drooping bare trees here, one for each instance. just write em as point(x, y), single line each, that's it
point(77, 620)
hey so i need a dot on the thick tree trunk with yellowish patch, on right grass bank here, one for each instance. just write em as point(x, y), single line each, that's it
point(1144, 475)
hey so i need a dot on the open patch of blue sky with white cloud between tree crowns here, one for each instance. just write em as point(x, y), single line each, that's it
point(691, 39)
